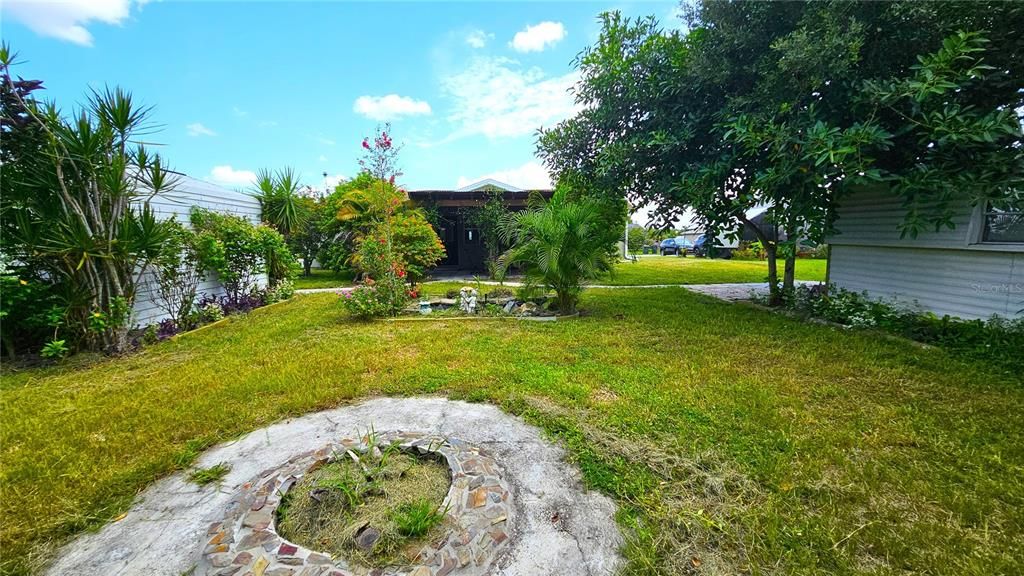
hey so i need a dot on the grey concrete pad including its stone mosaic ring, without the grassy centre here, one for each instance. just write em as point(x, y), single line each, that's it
point(167, 532)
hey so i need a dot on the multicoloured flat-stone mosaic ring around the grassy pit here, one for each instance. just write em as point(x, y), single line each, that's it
point(479, 507)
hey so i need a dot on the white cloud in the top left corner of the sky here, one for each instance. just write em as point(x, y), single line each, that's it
point(68, 20)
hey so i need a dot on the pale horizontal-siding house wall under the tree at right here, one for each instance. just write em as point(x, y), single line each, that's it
point(973, 271)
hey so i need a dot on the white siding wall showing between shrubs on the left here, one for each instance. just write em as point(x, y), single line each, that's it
point(178, 203)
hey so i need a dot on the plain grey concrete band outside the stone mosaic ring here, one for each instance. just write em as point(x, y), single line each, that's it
point(560, 527)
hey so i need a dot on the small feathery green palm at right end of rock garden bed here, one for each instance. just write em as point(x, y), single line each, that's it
point(560, 244)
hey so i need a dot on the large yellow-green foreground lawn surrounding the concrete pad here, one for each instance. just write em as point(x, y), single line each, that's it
point(740, 440)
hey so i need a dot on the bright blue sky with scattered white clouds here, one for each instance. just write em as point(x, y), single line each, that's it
point(238, 87)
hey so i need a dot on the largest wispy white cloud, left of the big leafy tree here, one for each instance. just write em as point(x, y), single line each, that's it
point(497, 98)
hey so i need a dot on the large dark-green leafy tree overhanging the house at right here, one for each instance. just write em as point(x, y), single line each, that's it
point(774, 104)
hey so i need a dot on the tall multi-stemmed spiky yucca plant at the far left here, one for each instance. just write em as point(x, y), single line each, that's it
point(77, 211)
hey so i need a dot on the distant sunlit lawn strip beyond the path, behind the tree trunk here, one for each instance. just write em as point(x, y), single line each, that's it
point(673, 270)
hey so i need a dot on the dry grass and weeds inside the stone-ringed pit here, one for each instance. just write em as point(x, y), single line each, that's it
point(374, 509)
